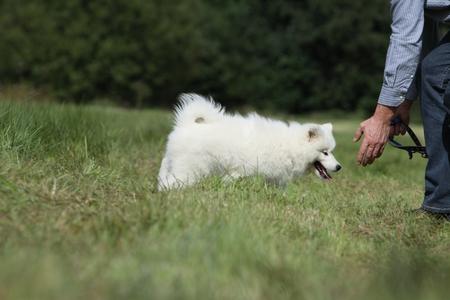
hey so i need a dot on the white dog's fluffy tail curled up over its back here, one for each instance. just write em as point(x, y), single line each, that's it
point(193, 108)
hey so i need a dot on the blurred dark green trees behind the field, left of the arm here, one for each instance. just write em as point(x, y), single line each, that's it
point(280, 54)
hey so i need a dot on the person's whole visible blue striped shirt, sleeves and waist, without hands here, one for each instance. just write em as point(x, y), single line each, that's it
point(410, 34)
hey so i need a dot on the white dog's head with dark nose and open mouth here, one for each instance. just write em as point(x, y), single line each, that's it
point(321, 143)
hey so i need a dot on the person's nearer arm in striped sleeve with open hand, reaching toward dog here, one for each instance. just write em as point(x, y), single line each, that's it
point(401, 63)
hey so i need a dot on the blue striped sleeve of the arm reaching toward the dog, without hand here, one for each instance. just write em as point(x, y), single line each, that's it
point(404, 50)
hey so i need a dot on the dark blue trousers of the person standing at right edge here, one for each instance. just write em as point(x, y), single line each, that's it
point(435, 108)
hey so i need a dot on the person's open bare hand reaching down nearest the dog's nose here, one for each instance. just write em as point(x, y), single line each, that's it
point(376, 132)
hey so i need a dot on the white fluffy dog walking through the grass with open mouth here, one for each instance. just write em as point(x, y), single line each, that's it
point(208, 141)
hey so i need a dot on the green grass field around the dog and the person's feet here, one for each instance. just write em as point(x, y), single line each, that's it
point(80, 218)
